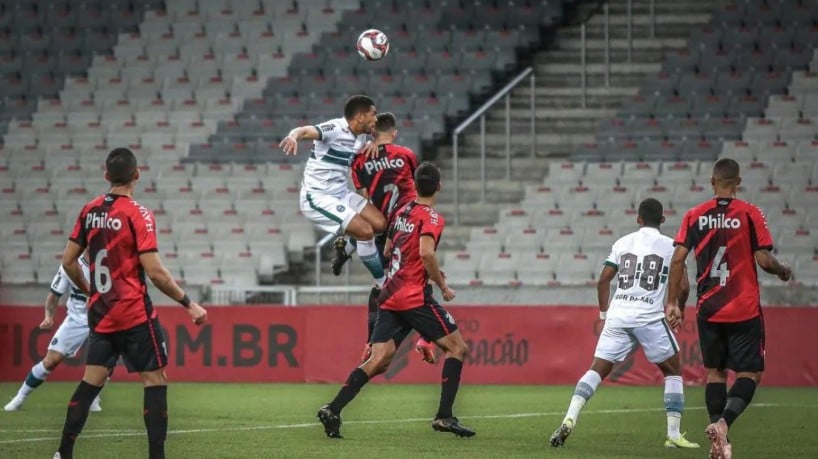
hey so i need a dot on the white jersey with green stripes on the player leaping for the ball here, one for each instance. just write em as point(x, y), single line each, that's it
point(327, 170)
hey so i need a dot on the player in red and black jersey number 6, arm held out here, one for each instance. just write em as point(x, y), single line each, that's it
point(120, 235)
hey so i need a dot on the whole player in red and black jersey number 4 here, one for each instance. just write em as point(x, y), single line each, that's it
point(729, 237)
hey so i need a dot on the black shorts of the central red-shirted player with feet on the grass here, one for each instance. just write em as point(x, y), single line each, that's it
point(431, 321)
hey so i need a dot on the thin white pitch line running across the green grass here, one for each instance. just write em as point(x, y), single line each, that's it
point(133, 433)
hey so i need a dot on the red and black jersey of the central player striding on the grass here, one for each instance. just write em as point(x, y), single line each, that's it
point(407, 279)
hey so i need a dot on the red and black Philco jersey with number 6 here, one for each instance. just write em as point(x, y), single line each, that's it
point(116, 229)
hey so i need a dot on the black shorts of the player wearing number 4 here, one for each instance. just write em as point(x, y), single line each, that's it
point(738, 346)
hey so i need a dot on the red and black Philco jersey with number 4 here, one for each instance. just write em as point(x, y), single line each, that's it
point(724, 234)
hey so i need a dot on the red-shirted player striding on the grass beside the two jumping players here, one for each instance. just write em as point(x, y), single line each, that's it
point(406, 303)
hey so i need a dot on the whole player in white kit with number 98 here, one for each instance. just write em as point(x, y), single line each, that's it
point(640, 262)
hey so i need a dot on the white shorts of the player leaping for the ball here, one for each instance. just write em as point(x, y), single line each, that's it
point(331, 213)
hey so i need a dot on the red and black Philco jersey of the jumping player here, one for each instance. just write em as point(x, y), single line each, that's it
point(389, 178)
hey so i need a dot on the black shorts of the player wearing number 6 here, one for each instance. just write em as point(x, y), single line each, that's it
point(143, 348)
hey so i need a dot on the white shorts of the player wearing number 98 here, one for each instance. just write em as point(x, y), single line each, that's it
point(656, 339)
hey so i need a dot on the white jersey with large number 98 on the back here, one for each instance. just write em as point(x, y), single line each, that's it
point(642, 260)
